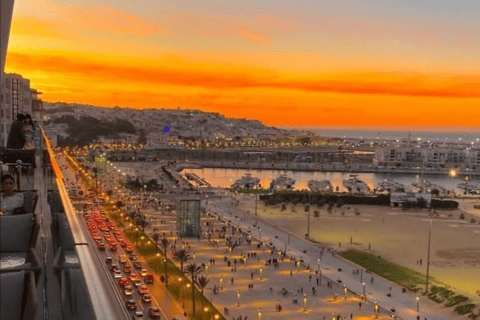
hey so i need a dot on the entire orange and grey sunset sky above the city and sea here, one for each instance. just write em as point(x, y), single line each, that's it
point(367, 64)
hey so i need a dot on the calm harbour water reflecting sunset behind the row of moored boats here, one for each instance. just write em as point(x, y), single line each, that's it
point(224, 178)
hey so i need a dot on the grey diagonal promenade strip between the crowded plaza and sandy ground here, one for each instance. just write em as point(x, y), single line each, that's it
point(404, 303)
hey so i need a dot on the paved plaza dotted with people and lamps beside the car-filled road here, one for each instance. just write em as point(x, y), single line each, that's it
point(252, 277)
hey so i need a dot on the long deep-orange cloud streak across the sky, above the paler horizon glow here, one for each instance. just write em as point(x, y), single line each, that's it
point(213, 78)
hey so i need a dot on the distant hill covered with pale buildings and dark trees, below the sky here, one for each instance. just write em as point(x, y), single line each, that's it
point(182, 123)
